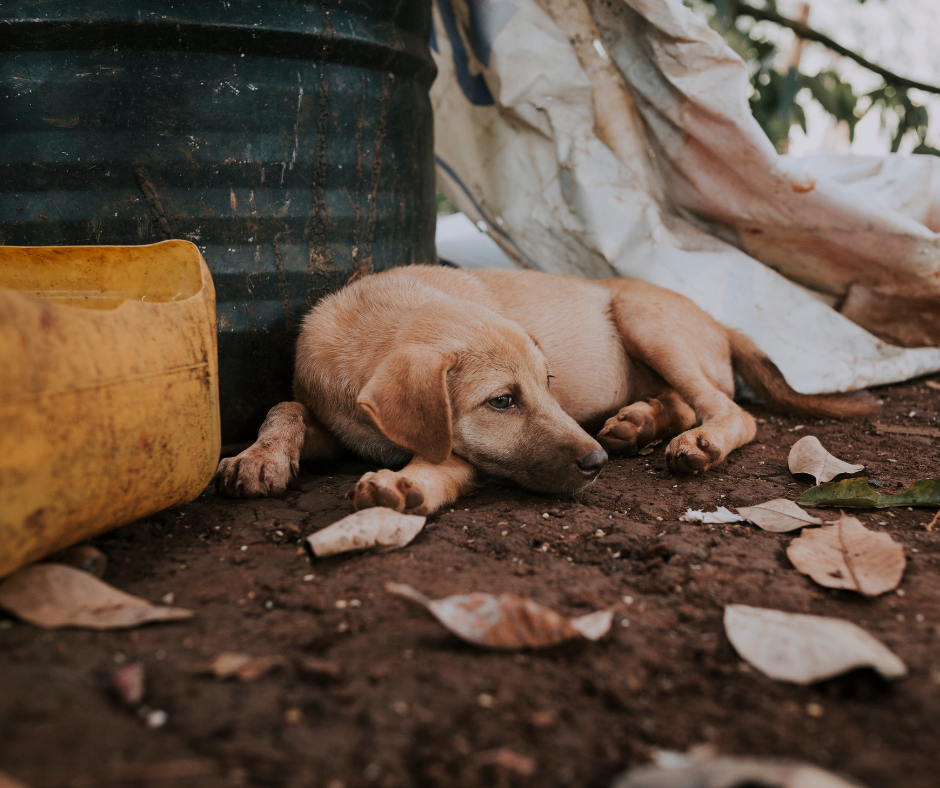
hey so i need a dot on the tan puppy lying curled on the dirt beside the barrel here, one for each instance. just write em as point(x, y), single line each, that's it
point(459, 374)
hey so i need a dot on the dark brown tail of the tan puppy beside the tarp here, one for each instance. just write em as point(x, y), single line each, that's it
point(768, 383)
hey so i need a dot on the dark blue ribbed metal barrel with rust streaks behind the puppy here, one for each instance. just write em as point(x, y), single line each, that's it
point(292, 142)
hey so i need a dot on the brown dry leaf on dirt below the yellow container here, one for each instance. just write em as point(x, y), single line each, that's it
point(55, 595)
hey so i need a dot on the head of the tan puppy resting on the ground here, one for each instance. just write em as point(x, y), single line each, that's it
point(480, 388)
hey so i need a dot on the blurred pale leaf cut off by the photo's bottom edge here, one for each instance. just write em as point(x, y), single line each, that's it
point(733, 773)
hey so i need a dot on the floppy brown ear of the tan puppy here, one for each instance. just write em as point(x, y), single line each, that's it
point(407, 400)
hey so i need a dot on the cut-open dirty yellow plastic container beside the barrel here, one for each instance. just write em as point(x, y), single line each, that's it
point(109, 397)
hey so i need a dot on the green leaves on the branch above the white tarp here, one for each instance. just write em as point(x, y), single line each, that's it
point(773, 99)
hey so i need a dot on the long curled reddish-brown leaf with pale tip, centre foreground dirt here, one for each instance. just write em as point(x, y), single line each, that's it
point(507, 621)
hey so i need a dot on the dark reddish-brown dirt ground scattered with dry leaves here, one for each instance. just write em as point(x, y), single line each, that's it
point(413, 706)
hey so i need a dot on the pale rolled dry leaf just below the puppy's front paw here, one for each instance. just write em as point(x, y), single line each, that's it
point(367, 528)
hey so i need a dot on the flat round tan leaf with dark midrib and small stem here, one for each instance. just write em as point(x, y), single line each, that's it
point(848, 555)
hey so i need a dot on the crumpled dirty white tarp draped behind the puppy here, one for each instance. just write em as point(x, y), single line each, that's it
point(613, 137)
